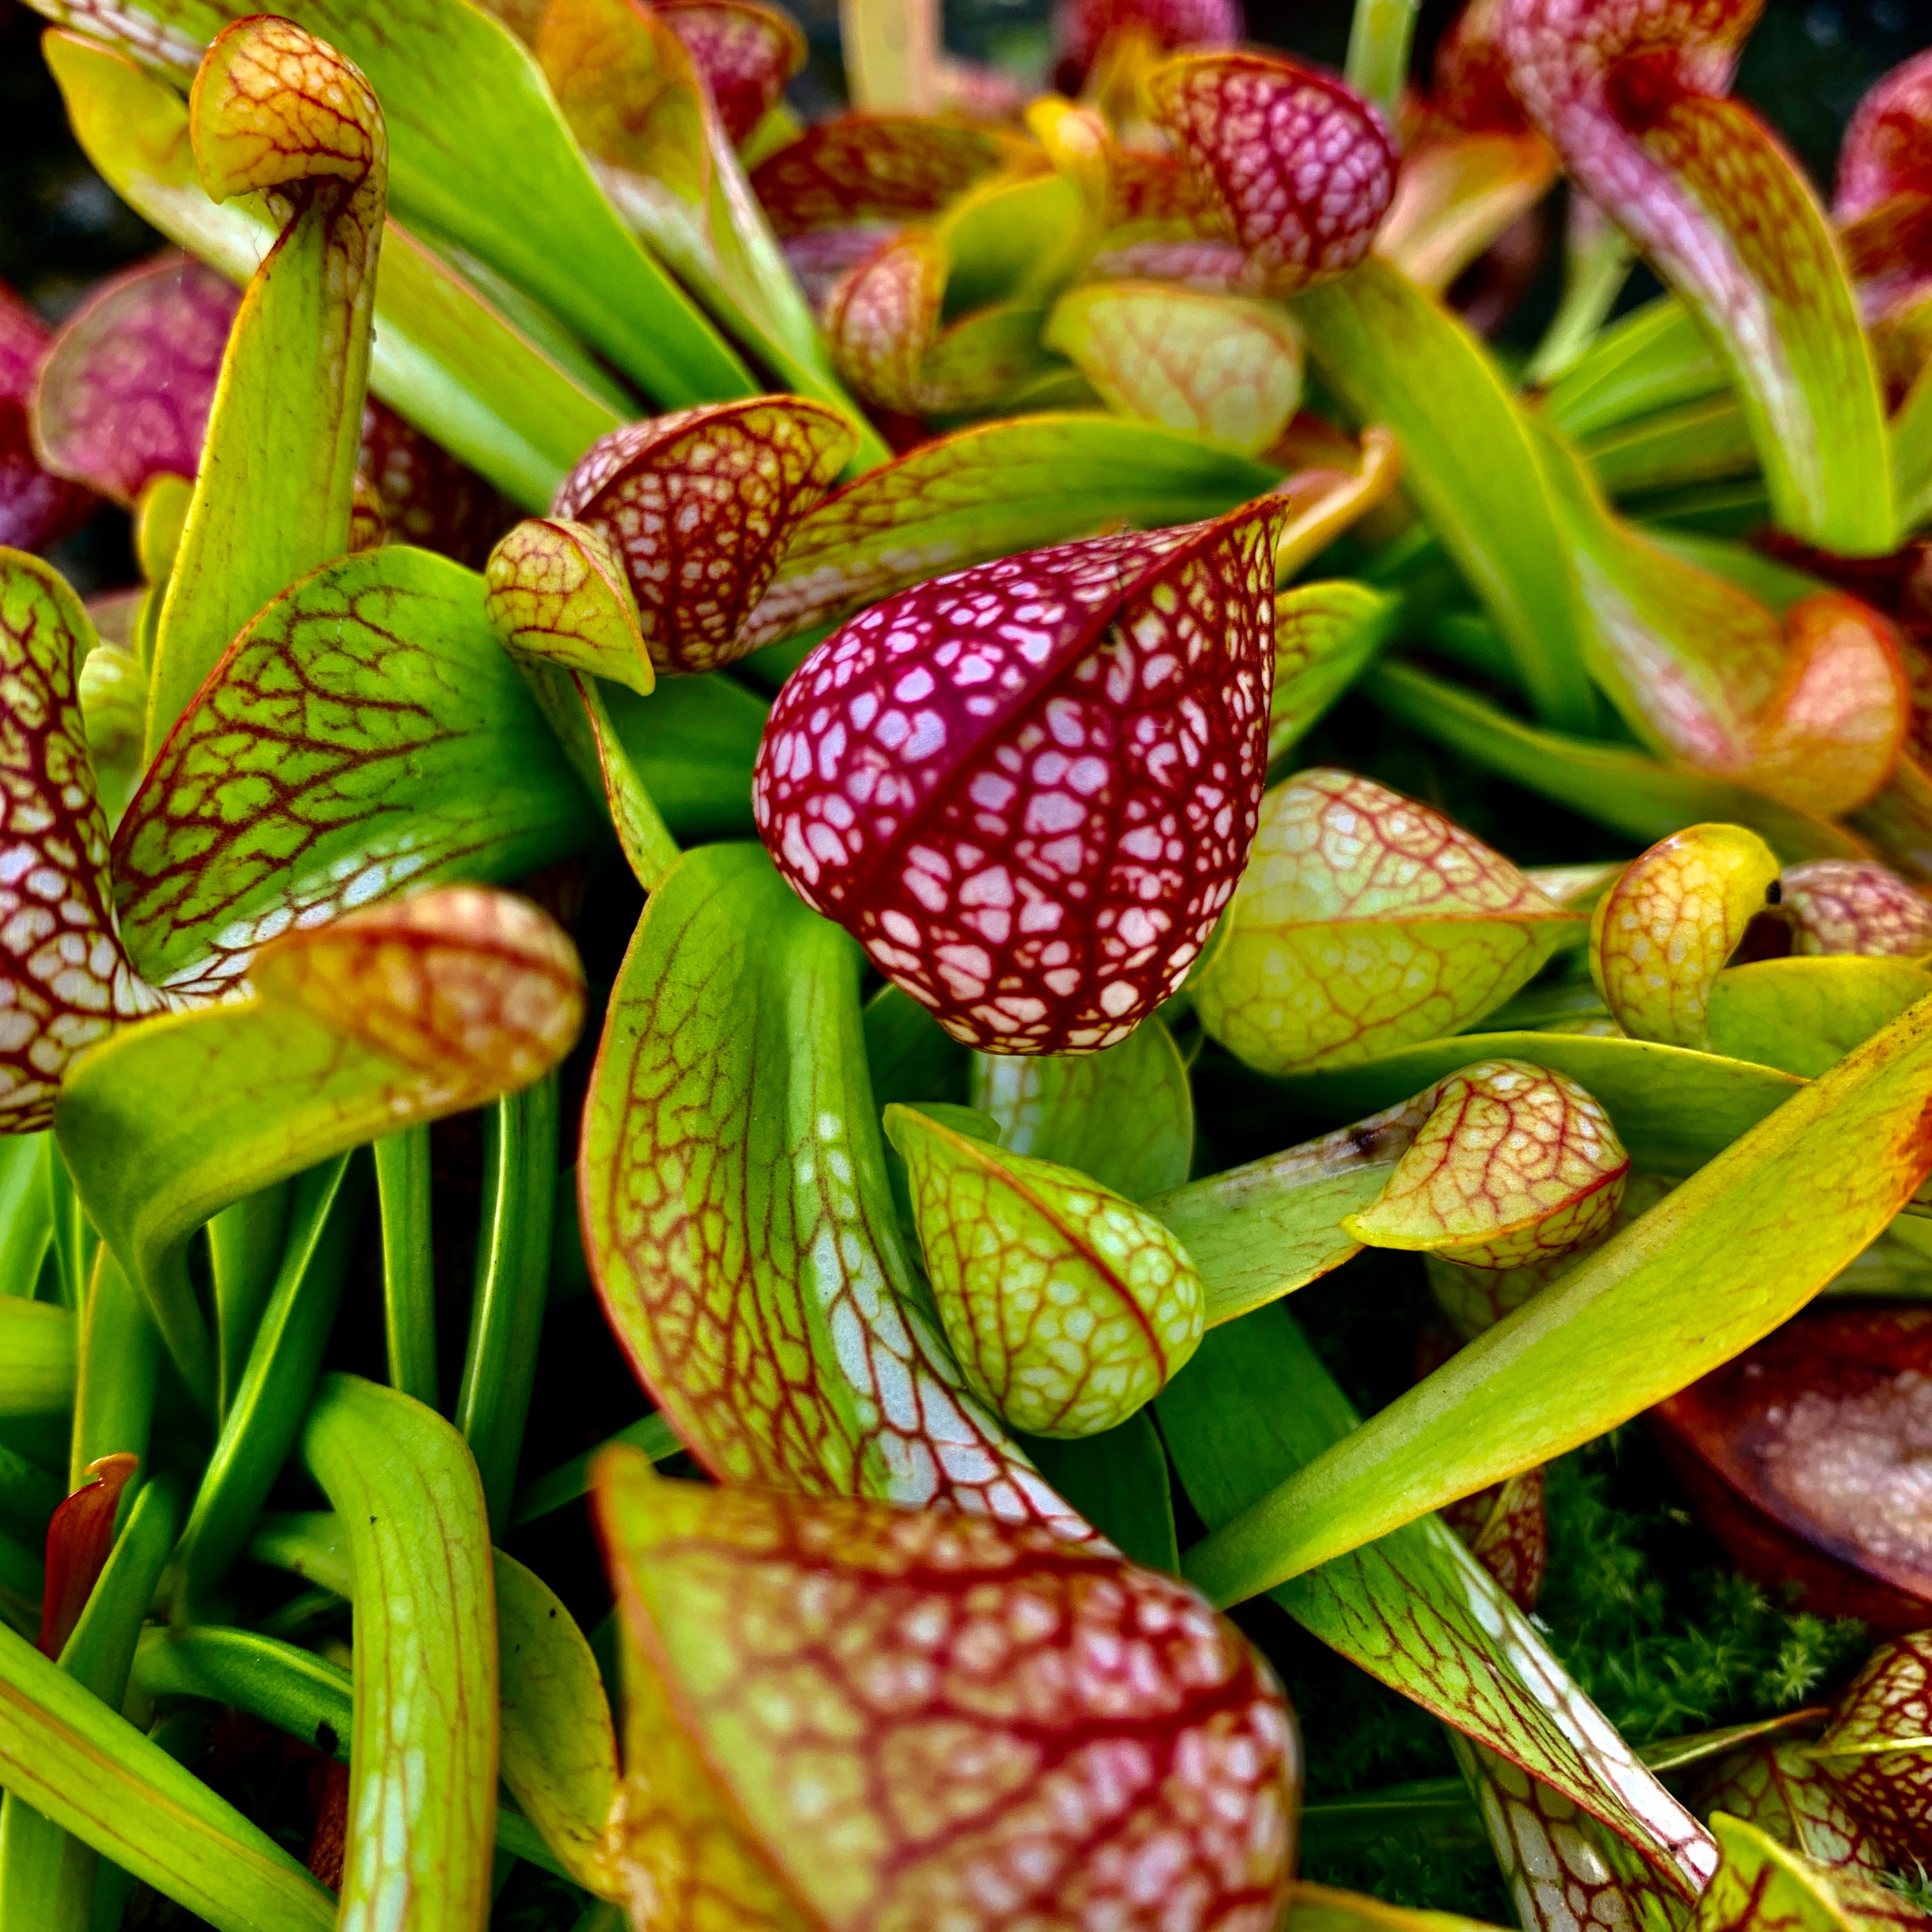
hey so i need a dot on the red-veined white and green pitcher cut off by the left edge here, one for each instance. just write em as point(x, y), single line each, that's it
point(65, 977)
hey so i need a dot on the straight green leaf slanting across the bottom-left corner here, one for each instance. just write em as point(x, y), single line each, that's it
point(94, 1775)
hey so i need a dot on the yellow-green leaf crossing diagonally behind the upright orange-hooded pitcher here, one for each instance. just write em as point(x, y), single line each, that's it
point(443, 355)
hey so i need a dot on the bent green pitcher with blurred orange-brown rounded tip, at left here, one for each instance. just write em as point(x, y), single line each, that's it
point(401, 1013)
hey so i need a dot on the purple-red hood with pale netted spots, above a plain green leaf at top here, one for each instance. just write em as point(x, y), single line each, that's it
point(1297, 165)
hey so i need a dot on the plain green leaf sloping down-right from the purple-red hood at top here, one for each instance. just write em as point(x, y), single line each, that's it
point(1469, 463)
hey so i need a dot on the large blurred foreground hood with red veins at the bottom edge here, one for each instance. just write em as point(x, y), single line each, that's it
point(899, 1719)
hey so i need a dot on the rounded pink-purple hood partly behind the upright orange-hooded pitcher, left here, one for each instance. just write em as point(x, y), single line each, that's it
point(130, 378)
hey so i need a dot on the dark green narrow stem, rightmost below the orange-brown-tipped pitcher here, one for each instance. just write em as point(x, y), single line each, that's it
point(511, 1286)
